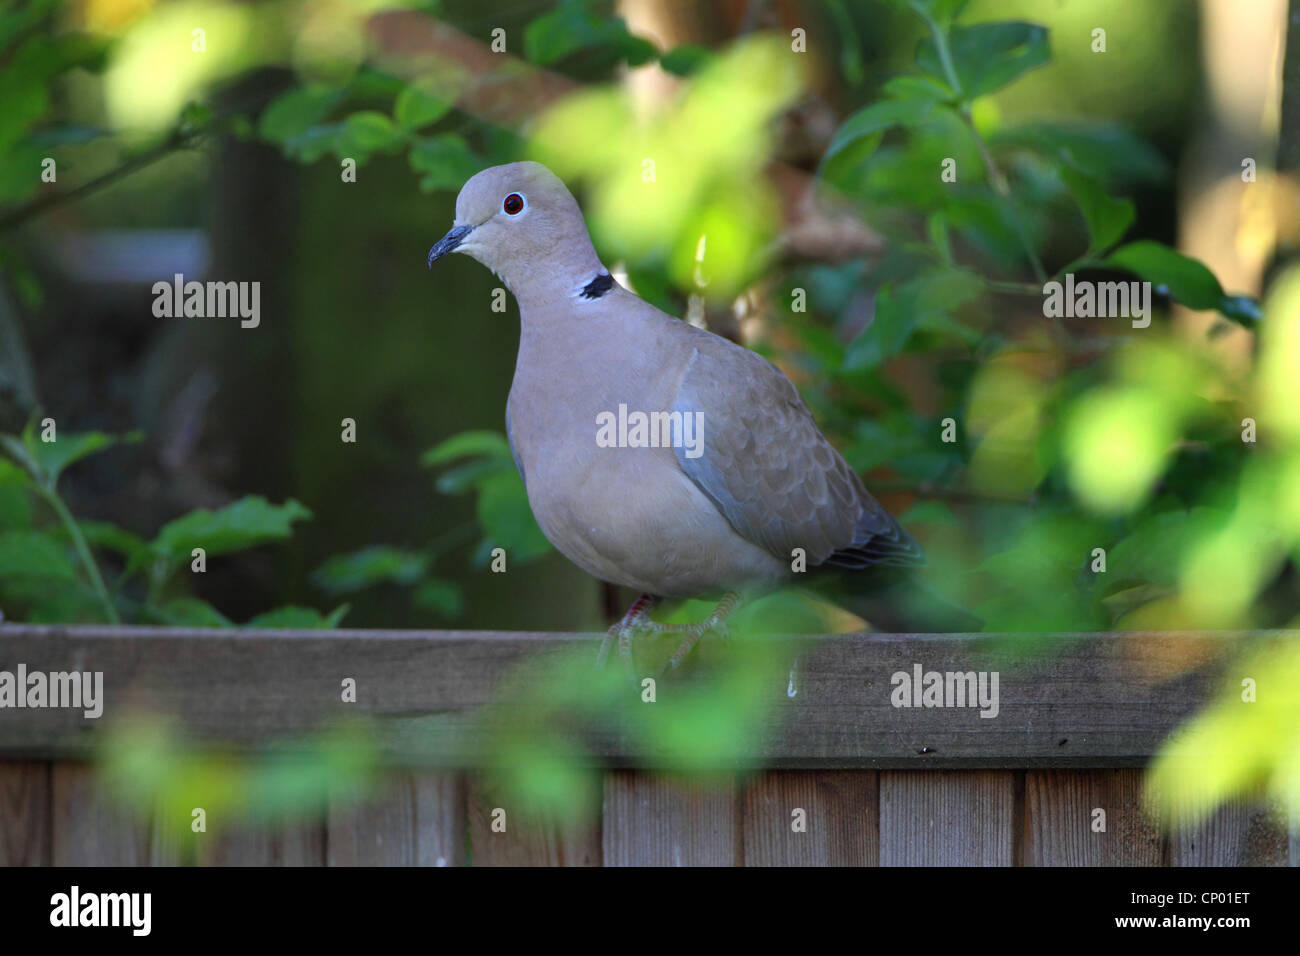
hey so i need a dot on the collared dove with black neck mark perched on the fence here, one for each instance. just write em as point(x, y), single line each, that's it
point(729, 485)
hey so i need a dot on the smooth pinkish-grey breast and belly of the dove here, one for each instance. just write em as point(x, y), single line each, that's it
point(596, 455)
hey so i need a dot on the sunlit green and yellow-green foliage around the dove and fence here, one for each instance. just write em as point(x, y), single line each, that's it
point(1061, 443)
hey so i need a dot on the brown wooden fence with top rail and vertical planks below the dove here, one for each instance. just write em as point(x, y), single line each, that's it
point(878, 785)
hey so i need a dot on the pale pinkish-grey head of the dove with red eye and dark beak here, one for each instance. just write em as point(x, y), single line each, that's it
point(522, 223)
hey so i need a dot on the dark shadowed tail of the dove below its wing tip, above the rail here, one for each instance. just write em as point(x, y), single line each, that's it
point(896, 602)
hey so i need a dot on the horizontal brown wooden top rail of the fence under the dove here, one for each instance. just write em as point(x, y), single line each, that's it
point(1068, 702)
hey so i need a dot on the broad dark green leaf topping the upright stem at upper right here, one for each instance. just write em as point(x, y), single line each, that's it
point(989, 57)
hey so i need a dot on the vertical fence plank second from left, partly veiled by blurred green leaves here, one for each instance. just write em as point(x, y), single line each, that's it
point(89, 829)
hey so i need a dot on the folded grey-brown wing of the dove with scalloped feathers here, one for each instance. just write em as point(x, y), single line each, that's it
point(773, 474)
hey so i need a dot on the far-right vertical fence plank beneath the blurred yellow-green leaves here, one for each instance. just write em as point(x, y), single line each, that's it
point(1237, 834)
